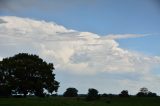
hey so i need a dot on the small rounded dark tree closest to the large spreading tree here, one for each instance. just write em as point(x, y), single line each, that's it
point(71, 92)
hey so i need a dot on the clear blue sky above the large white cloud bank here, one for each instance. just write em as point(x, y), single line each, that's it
point(102, 17)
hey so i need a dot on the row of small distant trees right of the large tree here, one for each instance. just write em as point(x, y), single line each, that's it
point(93, 93)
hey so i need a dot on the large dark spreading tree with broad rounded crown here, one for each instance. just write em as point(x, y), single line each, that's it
point(26, 73)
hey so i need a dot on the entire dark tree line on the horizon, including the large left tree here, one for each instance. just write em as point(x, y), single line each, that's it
point(27, 74)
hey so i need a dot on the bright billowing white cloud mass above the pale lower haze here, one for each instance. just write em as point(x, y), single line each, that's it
point(70, 50)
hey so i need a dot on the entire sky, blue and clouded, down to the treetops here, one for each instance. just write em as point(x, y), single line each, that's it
point(110, 45)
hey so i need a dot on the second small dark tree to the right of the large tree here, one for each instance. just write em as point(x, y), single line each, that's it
point(92, 94)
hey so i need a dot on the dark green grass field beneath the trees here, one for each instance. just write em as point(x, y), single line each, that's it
point(61, 101)
